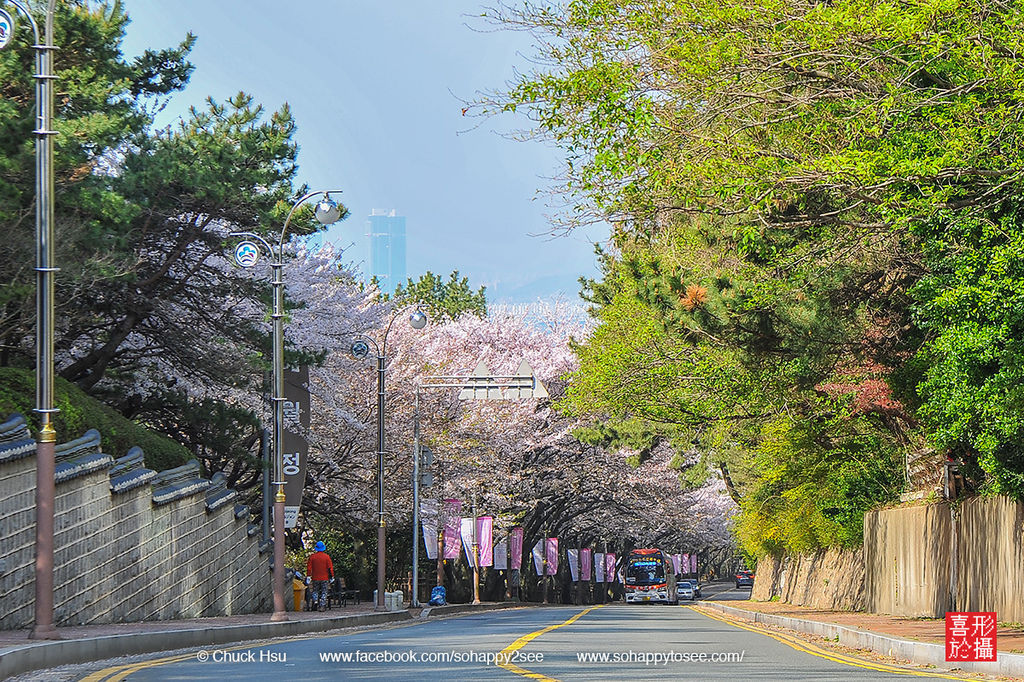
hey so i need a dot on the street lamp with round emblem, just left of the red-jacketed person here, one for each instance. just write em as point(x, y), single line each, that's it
point(246, 255)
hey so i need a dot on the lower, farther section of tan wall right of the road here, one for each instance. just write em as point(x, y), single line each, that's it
point(828, 579)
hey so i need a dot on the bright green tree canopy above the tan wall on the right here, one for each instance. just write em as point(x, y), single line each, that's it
point(815, 269)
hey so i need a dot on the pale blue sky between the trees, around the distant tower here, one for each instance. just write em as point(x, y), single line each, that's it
point(376, 88)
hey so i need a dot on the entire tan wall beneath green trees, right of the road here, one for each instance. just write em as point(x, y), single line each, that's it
point(917, 562)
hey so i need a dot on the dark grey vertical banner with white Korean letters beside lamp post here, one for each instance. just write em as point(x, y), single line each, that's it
point(294, 448)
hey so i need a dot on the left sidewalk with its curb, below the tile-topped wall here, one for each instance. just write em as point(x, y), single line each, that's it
point(98, 643)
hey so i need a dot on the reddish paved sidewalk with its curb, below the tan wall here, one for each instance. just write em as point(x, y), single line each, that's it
point(918, 641)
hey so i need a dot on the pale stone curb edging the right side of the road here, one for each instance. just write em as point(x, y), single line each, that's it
point(919, 653)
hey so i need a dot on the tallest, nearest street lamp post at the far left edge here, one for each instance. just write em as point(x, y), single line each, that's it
point(46, 458)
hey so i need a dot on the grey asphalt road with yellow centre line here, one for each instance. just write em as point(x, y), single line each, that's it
point(614, 643)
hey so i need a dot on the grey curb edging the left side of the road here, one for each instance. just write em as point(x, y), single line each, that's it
point(62, 653)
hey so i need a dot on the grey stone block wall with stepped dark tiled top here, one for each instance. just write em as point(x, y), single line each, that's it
point(130, 544)
